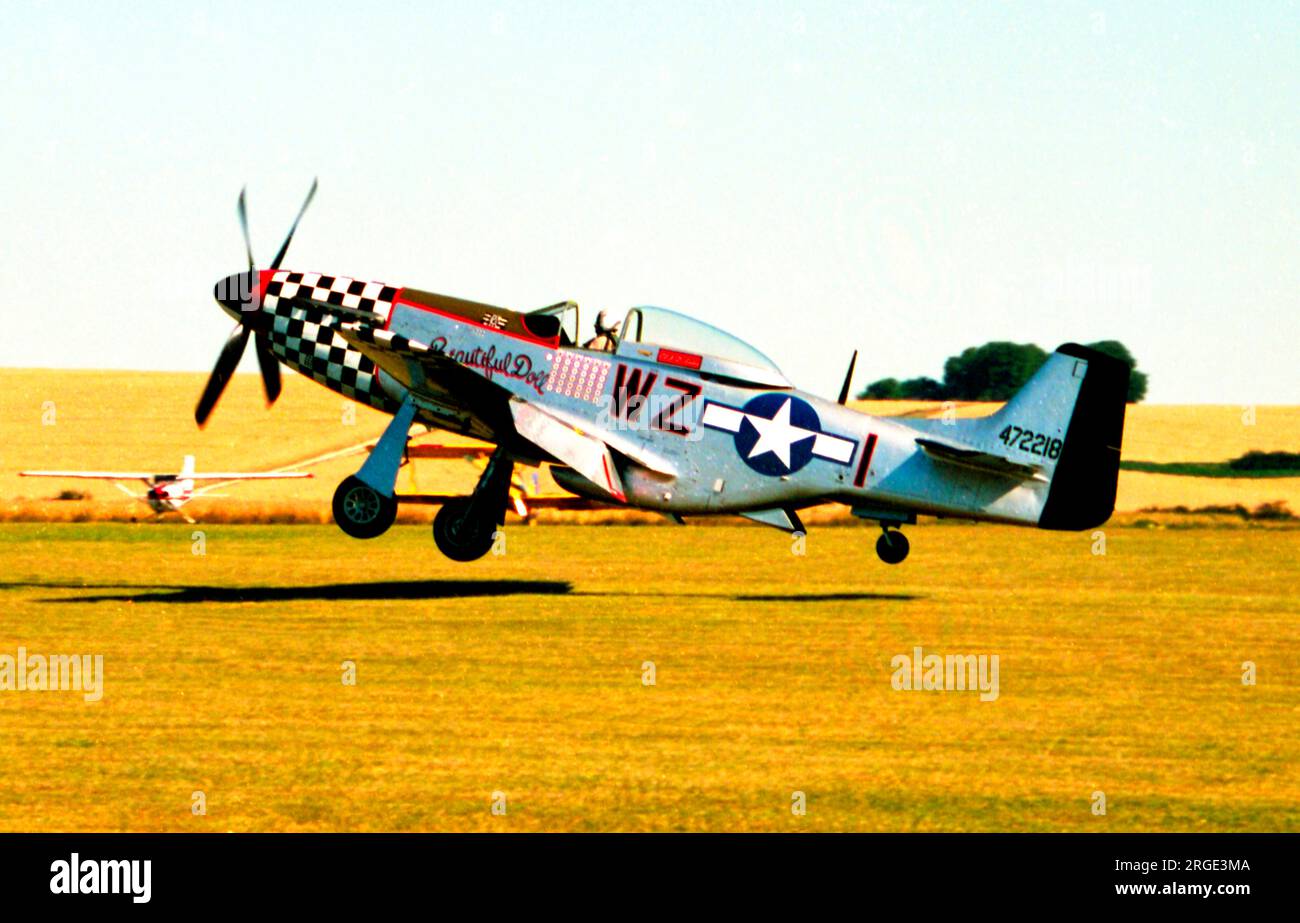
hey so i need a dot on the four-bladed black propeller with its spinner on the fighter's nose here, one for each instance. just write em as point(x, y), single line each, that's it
point(239, 296)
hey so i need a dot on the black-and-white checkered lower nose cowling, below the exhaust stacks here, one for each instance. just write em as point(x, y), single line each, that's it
point(306, 339)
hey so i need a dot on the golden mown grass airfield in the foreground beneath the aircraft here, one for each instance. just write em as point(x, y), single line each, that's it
point(523, 675)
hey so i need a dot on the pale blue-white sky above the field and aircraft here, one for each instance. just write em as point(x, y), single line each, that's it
point(902, 179)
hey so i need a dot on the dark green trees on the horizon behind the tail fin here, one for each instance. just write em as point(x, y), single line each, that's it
point(994, 372)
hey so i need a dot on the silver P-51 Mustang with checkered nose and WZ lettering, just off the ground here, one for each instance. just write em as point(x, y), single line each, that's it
point(678, 418)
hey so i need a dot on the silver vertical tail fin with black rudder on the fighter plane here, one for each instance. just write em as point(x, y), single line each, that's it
point(1085, 391)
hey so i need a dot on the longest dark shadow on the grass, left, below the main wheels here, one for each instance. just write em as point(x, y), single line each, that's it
point(387, 590)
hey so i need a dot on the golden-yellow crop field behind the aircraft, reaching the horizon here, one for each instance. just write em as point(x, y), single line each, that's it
point(127, 421)
